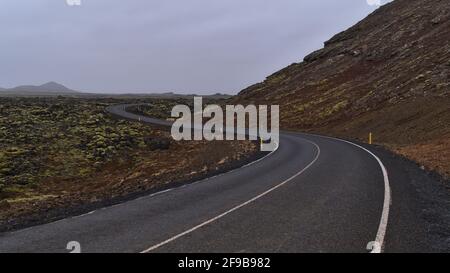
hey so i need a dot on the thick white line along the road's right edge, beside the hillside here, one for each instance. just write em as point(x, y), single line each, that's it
point(381, 233)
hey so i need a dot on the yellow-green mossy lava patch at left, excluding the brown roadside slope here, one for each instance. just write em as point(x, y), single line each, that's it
point(61, 138)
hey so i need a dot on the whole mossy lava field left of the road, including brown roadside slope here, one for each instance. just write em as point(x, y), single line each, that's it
point(61, 156)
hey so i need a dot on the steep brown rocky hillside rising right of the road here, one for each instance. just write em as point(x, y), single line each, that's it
point(389, 74)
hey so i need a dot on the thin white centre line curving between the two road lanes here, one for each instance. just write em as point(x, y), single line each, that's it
point(237, 207)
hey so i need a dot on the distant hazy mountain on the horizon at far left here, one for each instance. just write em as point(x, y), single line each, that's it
point(50, 88)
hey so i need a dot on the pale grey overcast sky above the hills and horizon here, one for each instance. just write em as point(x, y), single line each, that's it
point(199, 46)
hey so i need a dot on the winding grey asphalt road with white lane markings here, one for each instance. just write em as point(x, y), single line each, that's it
point(313, 194)
